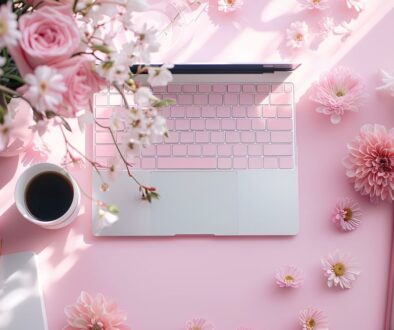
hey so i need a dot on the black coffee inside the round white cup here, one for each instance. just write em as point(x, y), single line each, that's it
point(49, 195)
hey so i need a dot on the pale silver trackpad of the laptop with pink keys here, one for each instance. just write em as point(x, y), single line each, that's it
point(195, 202)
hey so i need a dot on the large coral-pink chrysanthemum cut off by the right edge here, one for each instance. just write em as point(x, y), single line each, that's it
point(370, 162)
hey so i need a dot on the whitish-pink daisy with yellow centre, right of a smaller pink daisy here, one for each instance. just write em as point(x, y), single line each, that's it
point(340, 270)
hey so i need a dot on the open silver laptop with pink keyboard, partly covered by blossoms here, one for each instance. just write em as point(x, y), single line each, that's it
point(228, 166)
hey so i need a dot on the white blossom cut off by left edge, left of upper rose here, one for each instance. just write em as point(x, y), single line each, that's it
point(9, 33)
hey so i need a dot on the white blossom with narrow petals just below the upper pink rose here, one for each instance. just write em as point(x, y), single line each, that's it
point(45, 88)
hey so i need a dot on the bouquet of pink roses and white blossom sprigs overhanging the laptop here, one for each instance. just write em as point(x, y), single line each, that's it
point(55, 54)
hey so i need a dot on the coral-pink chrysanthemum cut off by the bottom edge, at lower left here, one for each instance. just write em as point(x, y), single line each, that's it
point(94, 313)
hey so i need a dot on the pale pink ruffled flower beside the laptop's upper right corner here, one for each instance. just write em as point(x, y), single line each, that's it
point(337, 92)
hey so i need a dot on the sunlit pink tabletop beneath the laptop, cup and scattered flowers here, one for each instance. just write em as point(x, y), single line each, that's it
point(161, 283)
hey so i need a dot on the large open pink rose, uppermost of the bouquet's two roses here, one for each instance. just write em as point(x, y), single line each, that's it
point(49, 35)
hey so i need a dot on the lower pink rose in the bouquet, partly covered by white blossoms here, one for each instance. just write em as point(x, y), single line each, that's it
point(81, 81)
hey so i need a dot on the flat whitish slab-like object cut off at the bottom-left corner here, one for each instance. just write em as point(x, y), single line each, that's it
point(21, 302)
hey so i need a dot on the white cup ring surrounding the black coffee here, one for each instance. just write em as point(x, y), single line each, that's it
point(37, 169)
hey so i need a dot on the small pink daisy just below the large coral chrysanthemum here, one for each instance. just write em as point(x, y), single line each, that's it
point(347, 214)
